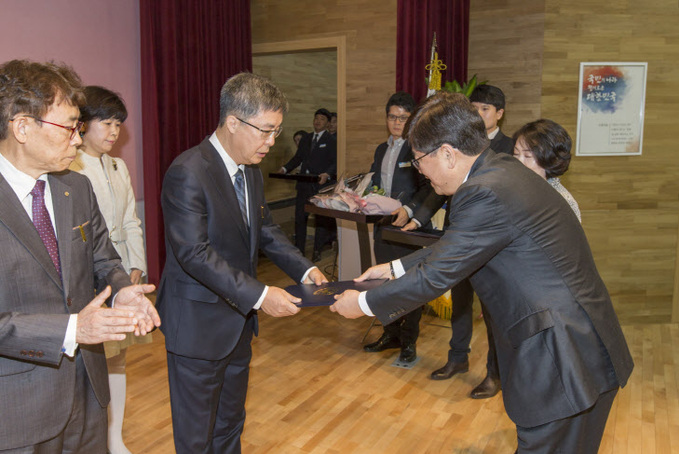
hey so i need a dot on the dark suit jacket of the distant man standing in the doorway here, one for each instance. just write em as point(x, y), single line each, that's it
point(322, 159)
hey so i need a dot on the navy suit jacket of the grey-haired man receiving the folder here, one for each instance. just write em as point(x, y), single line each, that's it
point(209, 285)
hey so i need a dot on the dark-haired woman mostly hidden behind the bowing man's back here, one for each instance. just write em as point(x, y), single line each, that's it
point(545, 147)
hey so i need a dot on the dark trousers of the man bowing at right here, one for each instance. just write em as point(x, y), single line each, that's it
point(579, 433)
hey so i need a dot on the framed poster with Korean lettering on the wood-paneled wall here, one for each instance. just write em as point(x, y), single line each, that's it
point(611, 109)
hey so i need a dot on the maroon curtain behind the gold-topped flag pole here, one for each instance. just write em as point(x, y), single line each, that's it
point(417, 21)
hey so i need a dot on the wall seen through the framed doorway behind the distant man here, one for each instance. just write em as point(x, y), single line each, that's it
point(309, 81)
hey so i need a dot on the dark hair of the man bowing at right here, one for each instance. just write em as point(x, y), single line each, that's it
point(447, 118)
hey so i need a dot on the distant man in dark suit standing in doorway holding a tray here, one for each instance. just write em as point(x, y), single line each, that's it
point(317, 155)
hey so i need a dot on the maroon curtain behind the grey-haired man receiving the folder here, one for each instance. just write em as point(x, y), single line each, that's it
point(188, 50)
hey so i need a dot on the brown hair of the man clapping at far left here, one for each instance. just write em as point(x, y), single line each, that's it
point(31, 88)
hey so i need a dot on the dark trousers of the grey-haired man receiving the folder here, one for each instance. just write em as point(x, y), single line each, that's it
point(208, 399)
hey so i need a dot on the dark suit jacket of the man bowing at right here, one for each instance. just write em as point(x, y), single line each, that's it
point(559, 343)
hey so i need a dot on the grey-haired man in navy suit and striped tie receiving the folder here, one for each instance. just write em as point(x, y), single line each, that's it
point(216, 222)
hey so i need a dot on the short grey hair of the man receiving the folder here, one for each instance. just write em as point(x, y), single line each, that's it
point(246, 95)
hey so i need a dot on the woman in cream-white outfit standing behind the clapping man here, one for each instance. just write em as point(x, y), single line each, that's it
point(103, 114)
